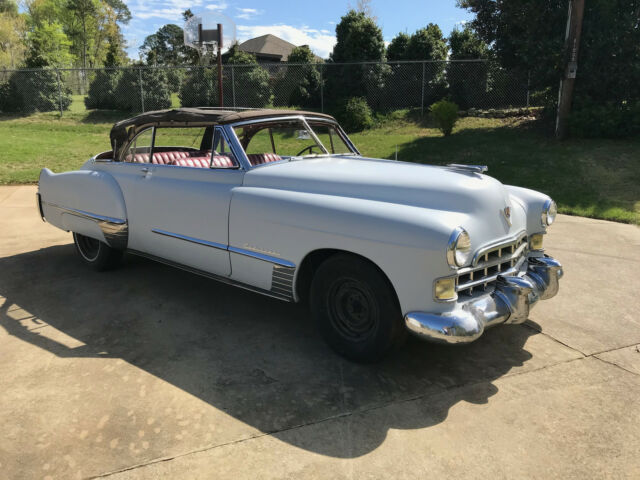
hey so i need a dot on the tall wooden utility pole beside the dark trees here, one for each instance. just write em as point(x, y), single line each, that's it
point(571, 47)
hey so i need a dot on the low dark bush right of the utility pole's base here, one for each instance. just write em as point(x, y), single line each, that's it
point(608, 120)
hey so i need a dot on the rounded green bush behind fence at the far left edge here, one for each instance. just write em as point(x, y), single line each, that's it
point(34, 91)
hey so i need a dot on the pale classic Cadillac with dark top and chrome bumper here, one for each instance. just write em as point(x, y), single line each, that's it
point(282, 203)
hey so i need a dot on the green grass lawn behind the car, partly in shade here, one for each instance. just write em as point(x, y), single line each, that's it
point(589, 177)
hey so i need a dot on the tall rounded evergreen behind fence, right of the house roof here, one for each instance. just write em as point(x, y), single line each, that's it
point(358, 39)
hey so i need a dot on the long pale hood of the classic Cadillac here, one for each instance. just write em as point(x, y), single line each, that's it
point(472, 200)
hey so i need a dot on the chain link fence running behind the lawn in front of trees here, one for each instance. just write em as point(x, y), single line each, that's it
point(323, 87)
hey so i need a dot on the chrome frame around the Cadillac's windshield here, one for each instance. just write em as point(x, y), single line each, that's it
point(305, 121)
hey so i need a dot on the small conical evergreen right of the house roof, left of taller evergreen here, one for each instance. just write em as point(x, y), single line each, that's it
point(300, 84)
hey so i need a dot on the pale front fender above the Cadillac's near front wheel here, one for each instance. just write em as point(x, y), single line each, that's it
point(407, 243)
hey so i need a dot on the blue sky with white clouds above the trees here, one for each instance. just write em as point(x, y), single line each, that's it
point(309, 22)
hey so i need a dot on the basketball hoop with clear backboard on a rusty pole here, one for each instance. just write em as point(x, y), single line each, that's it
point(209, 32)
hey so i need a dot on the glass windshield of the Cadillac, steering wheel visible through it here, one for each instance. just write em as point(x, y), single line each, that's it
point(290, 138)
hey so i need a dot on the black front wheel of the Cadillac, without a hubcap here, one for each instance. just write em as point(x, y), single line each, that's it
point(356, 309)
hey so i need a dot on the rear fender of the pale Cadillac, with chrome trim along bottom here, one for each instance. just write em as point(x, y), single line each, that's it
point(86, 202)
